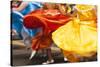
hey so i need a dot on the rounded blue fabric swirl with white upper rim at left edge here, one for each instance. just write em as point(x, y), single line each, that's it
point(17, 22)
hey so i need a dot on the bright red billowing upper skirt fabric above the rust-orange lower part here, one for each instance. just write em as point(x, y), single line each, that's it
point(50, 20)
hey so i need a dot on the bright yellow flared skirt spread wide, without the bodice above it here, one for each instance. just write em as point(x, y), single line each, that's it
point(78, 37)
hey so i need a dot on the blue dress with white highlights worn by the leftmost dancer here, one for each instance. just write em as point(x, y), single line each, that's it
point(17, 19)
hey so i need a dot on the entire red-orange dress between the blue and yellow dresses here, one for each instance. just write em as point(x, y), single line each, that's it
point(49, 21)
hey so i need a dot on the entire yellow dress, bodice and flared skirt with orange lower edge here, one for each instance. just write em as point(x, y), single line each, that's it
point(78, 36)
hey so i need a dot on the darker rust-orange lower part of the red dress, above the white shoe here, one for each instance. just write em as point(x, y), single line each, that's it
point(41, 41)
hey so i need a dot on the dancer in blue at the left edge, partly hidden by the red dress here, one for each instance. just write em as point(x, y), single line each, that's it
point(19, 10)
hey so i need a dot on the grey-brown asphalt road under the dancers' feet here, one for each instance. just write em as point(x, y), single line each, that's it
point(20, 55)
